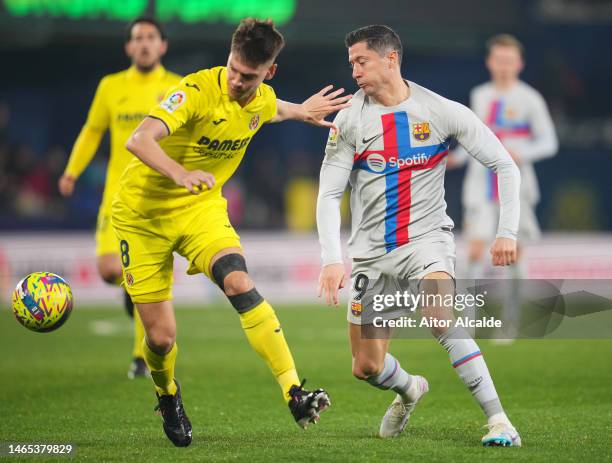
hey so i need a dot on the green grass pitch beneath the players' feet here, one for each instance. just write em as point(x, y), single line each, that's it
point(71, 387)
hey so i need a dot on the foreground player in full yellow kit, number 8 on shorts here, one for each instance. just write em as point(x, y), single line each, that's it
point(170, 200)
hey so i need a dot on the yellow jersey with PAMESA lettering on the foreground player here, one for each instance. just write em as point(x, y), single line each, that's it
point(208, 131)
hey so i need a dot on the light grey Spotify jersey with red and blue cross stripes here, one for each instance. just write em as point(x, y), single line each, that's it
point(394, 159)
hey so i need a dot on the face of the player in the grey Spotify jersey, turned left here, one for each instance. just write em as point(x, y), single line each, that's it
point(370, 69)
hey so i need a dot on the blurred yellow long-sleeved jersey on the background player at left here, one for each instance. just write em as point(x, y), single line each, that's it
point(121, 102)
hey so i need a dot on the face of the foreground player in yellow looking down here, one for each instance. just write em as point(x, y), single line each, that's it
point(243, 79)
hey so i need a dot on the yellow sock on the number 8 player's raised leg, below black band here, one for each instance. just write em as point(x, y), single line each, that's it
point(262, 329)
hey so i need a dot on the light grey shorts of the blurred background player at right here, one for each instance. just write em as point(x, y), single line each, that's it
point(481, 221)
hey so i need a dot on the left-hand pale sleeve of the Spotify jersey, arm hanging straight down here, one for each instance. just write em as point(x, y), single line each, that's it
point(335, 172)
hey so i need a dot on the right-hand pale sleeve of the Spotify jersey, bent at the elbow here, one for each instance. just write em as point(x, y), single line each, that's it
point(484, 146)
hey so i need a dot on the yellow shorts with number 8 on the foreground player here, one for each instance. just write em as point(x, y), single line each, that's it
point(146, 245)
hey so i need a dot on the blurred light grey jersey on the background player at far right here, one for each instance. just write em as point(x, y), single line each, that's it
point(520, 119)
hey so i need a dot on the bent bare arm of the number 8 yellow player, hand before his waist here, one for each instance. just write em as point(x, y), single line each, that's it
point(143, 143)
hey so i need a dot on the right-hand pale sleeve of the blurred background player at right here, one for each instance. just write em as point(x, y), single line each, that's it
point(543, 143)
